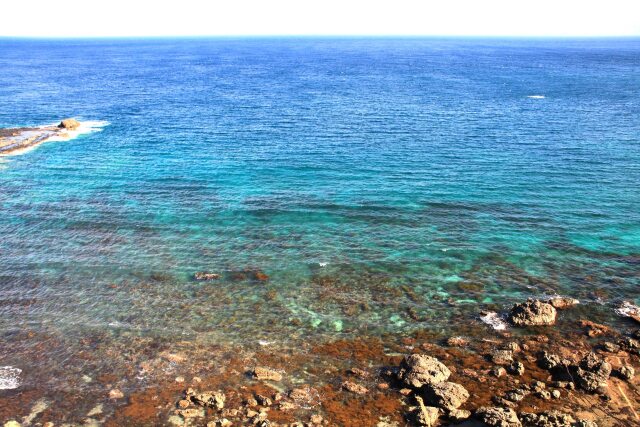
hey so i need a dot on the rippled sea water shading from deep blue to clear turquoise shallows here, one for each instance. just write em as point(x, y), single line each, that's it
point(383, 185)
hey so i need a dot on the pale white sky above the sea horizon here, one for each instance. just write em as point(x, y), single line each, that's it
point(122, 18)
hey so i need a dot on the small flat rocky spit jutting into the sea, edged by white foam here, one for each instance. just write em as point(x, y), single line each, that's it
point(16, 140)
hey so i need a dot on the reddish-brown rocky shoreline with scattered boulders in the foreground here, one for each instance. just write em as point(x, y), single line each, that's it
point(535, 373)
